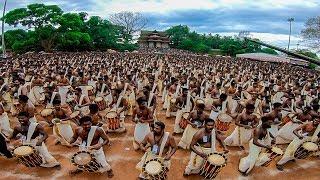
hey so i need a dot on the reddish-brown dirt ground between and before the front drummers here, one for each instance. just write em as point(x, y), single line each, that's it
point(123, 160)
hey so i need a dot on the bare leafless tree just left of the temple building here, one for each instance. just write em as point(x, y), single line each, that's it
point(132, 22)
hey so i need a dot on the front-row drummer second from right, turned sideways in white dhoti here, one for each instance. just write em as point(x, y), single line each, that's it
point(261, 139)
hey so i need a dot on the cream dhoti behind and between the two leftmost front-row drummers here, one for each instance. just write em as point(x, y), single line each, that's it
point(63, 132)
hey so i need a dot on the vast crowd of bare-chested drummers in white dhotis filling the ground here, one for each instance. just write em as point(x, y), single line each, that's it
point(214, 103)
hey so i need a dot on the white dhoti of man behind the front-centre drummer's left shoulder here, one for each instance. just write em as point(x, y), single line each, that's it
point(140, 131)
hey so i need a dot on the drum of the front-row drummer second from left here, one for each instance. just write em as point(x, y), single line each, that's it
point(85, 161)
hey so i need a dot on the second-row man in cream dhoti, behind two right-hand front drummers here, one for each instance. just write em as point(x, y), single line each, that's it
point(245, 123)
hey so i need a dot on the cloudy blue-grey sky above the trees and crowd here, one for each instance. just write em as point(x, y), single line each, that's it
point(265, 19)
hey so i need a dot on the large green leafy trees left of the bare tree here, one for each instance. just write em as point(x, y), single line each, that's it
point(50, 29)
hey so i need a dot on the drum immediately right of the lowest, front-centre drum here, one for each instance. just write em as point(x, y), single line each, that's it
point(213, 165)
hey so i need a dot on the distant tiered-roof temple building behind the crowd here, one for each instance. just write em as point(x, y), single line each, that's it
point(153, 39)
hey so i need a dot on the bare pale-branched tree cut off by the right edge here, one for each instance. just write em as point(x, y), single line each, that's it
point(311, 33)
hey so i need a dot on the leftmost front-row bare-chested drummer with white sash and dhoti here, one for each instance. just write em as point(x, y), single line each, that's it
point(33, 134)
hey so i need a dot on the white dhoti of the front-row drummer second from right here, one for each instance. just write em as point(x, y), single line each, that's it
point(255, 157)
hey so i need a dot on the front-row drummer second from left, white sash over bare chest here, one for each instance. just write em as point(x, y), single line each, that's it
point(93, 139)
